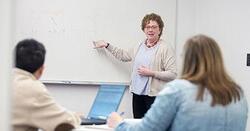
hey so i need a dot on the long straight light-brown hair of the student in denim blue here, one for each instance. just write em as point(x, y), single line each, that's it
point(203, 65)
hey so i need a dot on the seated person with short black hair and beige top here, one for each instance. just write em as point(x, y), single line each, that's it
point(32, 106)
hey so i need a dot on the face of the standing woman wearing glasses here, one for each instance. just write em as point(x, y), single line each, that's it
point(152, 30)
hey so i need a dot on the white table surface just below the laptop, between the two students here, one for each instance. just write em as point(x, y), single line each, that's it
point(93, 128)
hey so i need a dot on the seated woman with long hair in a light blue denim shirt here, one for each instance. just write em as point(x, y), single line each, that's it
point(205, 98)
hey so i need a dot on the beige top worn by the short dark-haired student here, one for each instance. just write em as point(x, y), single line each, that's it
point(33, 108)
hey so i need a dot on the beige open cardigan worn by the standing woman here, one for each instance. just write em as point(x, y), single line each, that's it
point(164, 63)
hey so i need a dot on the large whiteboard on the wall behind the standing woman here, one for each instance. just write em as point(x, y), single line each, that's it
point(68, 27)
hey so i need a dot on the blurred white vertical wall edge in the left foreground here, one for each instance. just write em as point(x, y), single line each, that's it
point(5, 63)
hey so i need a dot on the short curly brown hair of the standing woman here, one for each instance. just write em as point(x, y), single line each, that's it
point(152, 18)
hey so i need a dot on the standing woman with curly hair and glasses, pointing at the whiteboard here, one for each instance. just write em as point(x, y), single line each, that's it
point(153, 65)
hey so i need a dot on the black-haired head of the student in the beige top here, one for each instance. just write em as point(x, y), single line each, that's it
point(29, 55)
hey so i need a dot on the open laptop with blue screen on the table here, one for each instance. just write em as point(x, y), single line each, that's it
point(106, 101)
